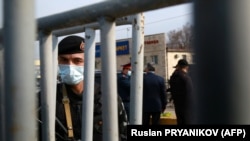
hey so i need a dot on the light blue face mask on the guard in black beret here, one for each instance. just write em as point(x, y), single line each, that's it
point(70, 74)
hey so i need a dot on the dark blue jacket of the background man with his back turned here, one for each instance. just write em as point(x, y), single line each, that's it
point(154, 93)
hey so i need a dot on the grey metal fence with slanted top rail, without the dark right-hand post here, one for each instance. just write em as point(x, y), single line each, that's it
point(21, 29)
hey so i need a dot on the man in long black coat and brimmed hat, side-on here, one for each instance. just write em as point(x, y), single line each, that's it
point(181, 88)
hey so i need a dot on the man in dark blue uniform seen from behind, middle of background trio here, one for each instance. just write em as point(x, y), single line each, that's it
point(154, 96)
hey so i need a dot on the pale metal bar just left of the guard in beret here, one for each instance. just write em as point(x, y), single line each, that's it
point(47, 87)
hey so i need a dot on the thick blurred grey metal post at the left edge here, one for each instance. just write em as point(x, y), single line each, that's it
point(20, 102)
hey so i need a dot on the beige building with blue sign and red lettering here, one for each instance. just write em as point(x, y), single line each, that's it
point(154, 53)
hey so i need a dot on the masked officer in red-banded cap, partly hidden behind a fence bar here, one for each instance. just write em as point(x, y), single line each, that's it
point(123, 86)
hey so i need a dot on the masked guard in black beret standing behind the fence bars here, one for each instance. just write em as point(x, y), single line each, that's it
point(69, 95)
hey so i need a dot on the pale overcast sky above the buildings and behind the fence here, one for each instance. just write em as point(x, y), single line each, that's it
point(157, 21)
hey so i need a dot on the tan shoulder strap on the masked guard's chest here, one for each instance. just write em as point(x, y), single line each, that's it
point(65, 102)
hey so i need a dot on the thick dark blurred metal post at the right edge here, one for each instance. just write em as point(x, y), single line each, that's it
point(221, 51)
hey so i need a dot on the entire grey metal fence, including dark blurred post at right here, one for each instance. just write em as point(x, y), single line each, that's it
point(222, 46)
